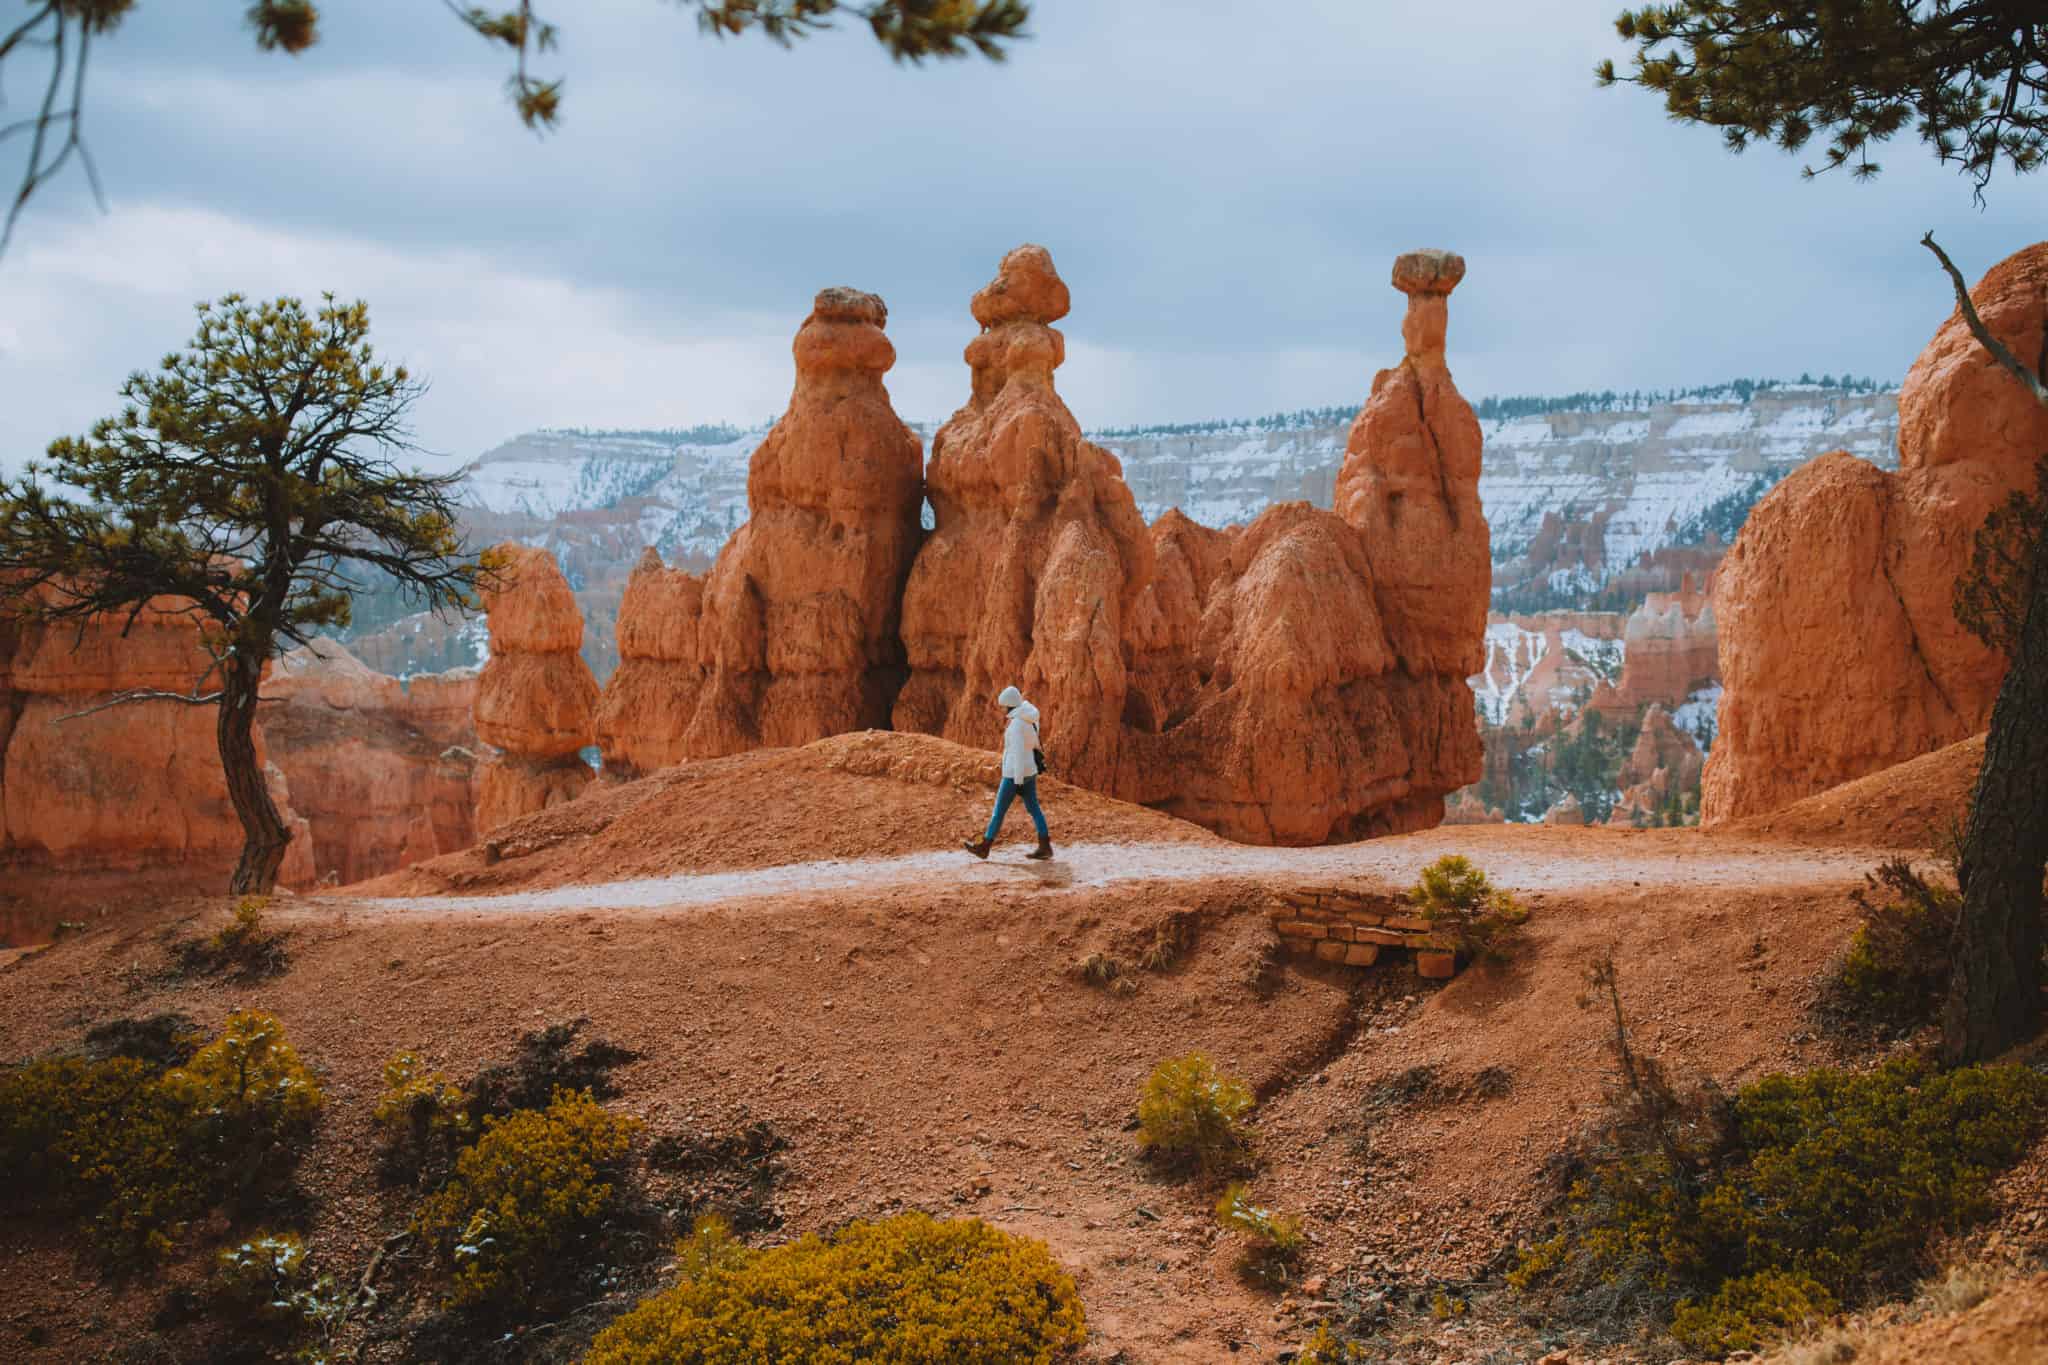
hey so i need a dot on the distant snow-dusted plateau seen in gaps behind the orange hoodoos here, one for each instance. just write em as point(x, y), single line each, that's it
point(1580, 494)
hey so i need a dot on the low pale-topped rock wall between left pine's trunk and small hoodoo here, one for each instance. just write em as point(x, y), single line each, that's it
point(378, 768)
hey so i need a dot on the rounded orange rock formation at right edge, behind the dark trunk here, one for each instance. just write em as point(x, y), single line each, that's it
point(1840, 650)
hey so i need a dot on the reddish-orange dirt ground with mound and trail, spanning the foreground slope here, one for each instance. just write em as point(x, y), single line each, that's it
point(914, 1024)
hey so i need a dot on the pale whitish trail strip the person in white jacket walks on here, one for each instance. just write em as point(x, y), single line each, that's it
point(1103, 865)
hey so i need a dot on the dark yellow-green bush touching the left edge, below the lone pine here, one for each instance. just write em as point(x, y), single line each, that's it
point(136, 1153)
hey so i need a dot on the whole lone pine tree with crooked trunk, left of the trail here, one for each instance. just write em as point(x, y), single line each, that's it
point(241, 486)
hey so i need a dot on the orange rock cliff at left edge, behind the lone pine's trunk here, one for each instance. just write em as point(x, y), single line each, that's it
point(136, 787)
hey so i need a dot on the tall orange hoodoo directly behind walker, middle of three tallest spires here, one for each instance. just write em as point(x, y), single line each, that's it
point(1039, 554)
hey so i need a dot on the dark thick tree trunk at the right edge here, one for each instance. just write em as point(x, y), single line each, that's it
point(1996, 994)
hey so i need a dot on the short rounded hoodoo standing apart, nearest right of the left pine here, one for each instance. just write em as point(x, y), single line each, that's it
point(536, 699)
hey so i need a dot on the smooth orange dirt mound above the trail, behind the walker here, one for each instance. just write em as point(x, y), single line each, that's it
point(863, 795)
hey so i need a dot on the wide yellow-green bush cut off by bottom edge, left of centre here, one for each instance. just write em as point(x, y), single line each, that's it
point(902, 1292)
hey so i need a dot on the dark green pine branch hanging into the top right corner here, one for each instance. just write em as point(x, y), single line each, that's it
point(1971, 77)
